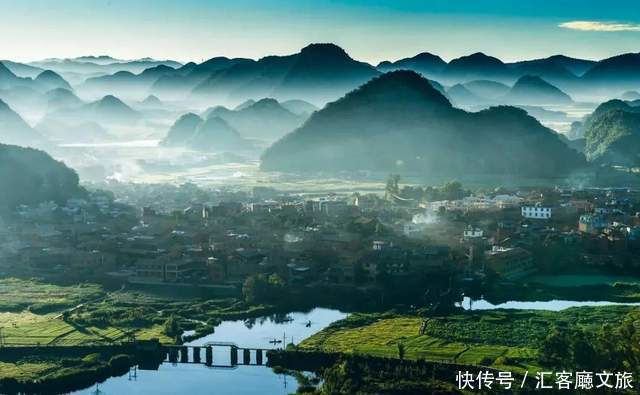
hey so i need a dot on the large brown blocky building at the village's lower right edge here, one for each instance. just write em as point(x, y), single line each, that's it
point(509, 263)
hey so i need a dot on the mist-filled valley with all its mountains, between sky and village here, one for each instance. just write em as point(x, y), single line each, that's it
point(149, 119)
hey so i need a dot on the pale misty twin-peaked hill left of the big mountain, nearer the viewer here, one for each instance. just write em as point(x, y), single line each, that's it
point(212, 134)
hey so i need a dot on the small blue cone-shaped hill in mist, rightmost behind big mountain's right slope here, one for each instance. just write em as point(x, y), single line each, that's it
point(535, 90)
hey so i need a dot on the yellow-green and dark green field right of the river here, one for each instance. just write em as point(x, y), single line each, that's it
point(507, 339)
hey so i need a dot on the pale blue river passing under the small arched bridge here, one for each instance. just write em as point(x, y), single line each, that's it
point(245, 380)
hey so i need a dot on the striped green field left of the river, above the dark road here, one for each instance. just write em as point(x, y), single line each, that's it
point(31, 314)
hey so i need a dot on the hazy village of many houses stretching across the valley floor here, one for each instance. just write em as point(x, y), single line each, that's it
point(180, 237)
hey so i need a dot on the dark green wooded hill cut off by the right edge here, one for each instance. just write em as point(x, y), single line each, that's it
point(614, 137)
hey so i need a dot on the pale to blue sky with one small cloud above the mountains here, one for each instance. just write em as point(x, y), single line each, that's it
point(371, 31)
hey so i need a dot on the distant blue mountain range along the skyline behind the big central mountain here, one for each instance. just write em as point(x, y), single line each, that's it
point(320, 73)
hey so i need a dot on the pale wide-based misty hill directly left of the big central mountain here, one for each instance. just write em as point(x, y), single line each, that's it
point(265, 119)
